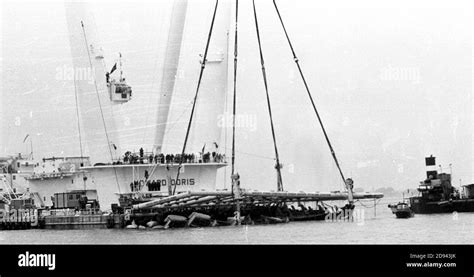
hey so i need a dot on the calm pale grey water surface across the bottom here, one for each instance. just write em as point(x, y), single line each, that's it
point(384, 228)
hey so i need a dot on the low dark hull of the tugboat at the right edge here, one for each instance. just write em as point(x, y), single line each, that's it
point(421, 206)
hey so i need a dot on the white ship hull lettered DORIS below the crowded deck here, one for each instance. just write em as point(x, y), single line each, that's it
point(112, 180)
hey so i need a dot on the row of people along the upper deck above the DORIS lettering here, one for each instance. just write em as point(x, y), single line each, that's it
point(149, 158)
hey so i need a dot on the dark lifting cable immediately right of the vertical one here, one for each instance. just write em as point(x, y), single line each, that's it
point(262, 62)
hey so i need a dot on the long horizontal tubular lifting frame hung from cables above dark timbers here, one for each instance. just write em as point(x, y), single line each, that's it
point(224, 197)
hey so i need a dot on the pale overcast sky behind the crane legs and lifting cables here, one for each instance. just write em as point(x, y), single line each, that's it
point(392, 81)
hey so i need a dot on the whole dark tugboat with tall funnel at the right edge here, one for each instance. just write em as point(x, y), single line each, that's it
point(437, 195)
